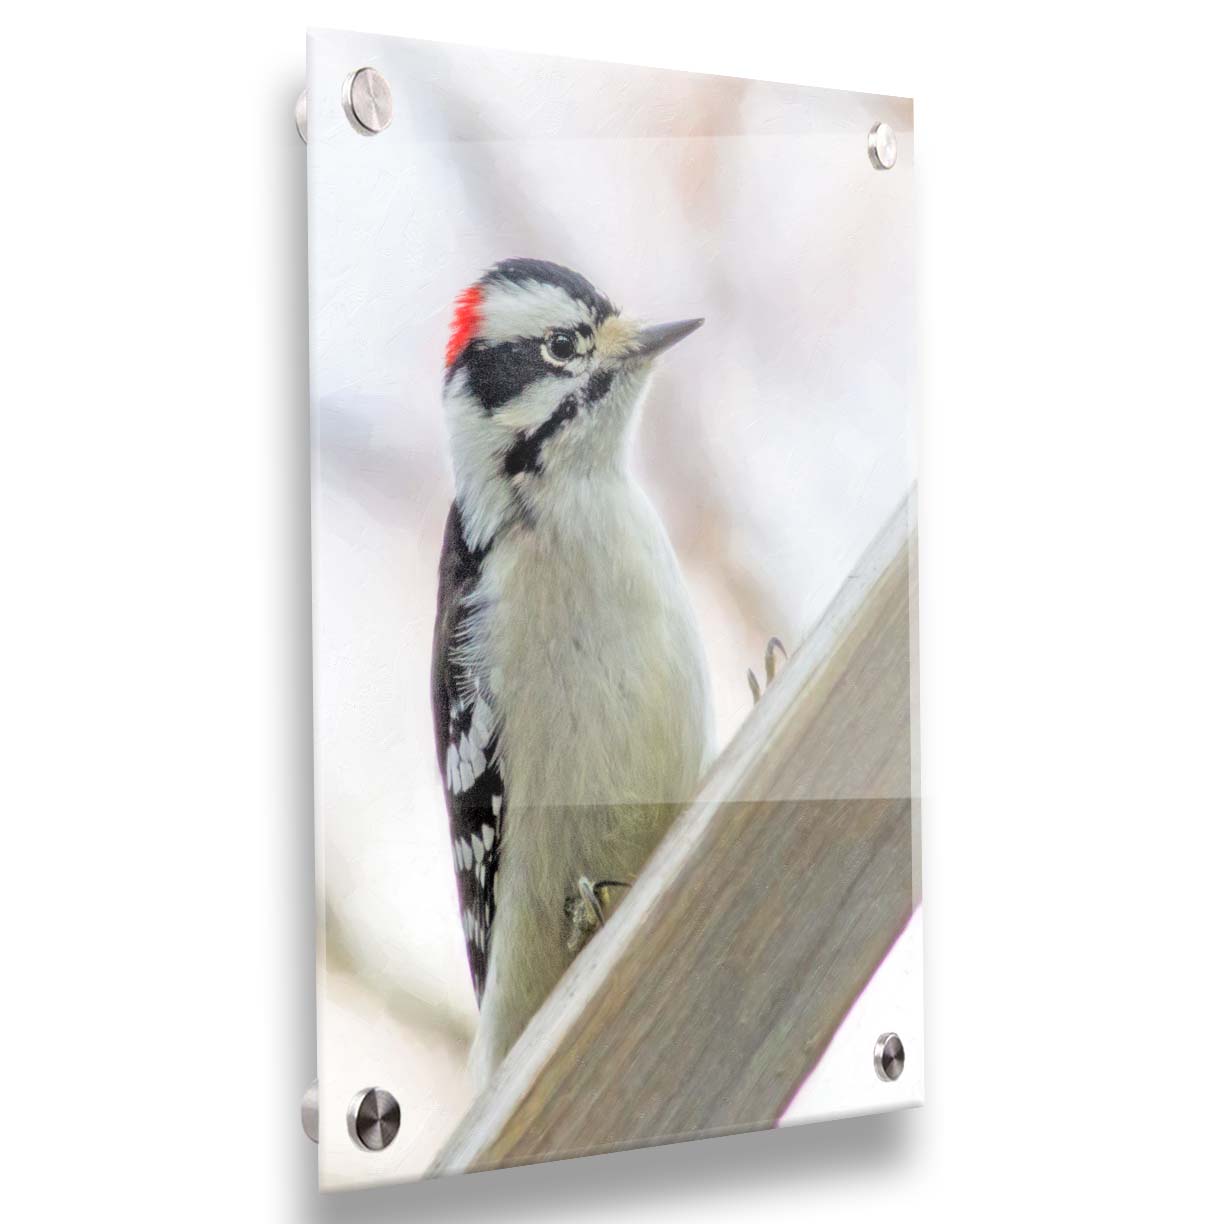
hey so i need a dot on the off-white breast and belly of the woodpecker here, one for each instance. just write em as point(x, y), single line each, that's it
point(604, 707)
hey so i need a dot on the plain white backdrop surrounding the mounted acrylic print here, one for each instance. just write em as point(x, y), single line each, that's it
point(155, 677)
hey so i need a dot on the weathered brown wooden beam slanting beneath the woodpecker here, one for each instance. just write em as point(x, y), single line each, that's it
point(723, 977)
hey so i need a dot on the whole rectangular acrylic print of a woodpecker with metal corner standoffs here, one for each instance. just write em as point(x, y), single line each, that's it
point(615, 606)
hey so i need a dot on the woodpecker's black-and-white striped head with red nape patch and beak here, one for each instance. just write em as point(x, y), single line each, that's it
point(544, 378)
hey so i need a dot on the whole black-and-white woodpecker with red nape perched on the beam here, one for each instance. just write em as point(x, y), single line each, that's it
point(570, 684)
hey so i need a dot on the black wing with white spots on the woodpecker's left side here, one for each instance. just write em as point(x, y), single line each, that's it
point(466, 731)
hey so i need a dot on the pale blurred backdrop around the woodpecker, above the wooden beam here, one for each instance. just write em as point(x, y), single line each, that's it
point(775, 442)
